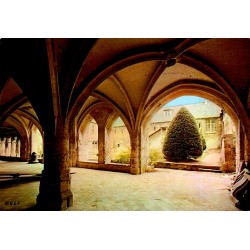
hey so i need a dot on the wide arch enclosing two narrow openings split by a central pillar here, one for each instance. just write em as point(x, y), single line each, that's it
point(97, 141)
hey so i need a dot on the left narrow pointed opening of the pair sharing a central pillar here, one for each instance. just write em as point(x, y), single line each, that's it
point(88, 140)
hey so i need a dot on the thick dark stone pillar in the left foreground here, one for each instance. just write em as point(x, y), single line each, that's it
point(54, 191)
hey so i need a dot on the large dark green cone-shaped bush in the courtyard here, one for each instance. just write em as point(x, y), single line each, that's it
point(182, 140)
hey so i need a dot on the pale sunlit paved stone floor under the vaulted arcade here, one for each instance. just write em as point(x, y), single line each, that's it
point(162, 190)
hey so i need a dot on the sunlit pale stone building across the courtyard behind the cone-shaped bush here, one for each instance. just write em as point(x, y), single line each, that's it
point(212, 123)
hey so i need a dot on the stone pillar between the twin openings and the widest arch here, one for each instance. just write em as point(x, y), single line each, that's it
point(135, 157)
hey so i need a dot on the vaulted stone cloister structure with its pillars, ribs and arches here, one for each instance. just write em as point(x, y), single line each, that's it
point(53, 88)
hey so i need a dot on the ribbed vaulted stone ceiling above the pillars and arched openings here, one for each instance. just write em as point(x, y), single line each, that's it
point(67, 76)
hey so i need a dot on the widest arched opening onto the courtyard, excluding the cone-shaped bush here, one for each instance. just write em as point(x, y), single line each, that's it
point(217, 124)
